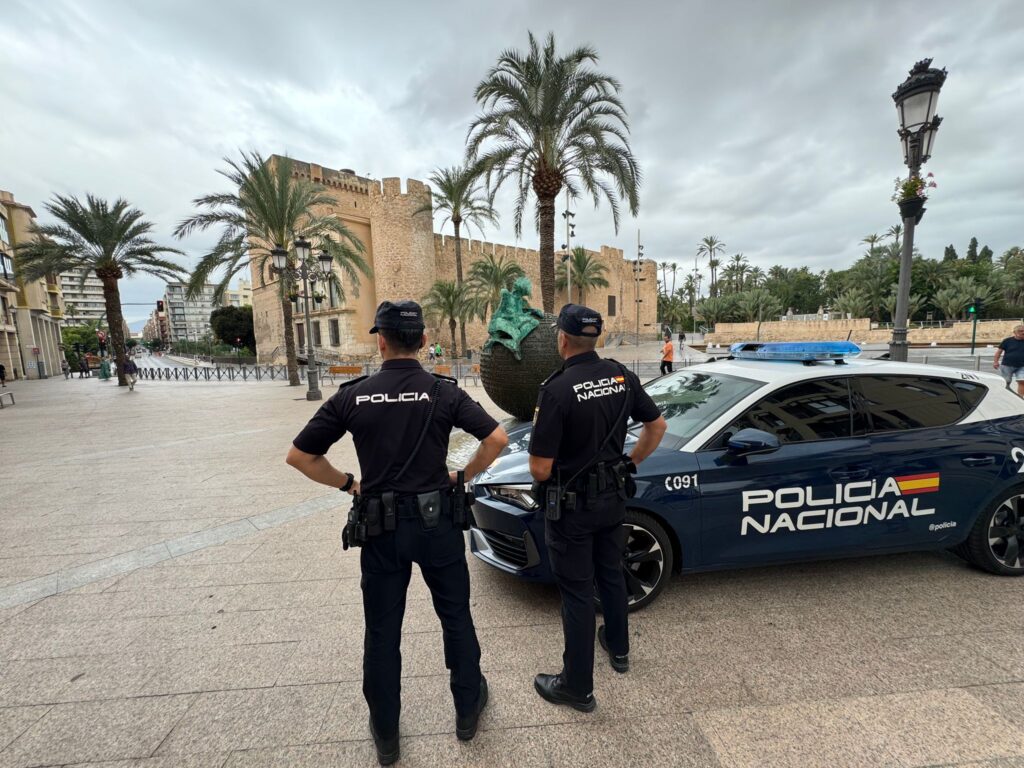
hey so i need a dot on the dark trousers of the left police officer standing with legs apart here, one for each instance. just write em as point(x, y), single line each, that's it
point(388, 564)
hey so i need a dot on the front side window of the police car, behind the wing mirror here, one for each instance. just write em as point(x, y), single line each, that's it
point(818, 410)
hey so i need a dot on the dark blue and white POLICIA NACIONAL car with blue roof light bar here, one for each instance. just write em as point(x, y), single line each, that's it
point(796, 452)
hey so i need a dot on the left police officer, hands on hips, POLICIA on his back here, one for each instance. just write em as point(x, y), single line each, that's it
point(407, 510)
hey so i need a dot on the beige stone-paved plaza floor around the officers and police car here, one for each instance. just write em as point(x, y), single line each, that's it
point(173, 594)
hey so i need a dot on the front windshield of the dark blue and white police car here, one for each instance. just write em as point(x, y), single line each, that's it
point(690, 401)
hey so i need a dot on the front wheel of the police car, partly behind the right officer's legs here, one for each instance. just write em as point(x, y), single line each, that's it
point(648, 562)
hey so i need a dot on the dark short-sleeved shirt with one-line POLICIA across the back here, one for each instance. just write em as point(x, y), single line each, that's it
point(386, 413)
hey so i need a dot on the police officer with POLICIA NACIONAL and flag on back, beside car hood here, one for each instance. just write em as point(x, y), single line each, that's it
point(576, 452)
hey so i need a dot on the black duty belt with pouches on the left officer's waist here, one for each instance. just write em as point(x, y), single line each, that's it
point(374, 516)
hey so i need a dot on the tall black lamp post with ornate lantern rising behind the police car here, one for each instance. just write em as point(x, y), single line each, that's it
point(917, 100)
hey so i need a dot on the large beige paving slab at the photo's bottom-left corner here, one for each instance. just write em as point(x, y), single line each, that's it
point(98, 731)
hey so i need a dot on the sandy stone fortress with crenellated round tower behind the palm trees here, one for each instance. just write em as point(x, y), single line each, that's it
point(407, 259)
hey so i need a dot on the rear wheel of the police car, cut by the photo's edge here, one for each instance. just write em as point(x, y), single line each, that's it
point(997, 541)
